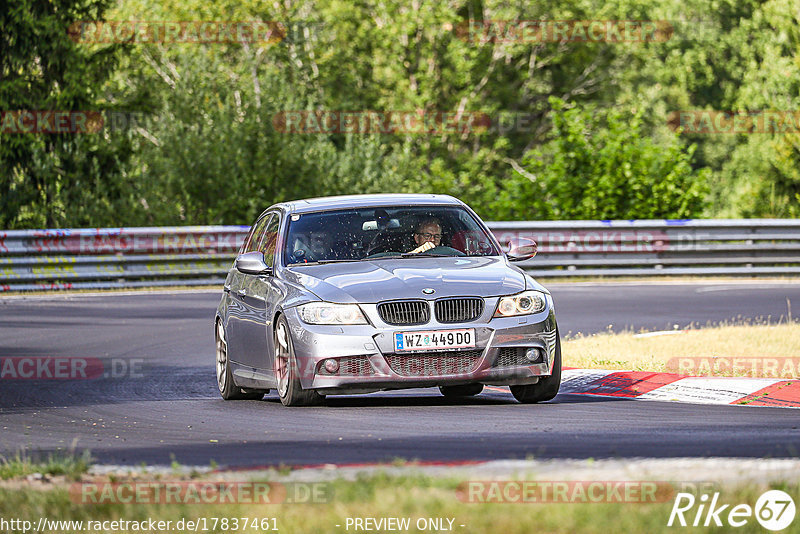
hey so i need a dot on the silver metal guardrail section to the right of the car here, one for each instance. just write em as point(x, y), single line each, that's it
point(660, 247)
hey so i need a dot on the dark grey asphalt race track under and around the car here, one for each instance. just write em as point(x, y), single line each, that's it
point(160, 401)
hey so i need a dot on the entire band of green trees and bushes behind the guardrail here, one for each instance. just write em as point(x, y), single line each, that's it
point(574, 130)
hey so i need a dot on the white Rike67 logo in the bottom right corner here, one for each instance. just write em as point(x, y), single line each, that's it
point(774, 510)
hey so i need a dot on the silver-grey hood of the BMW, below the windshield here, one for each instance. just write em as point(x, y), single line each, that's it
point(377, 280)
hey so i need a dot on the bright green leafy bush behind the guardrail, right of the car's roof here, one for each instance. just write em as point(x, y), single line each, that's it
point(599, 165)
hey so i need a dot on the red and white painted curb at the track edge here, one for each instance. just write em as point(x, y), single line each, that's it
point(646, 385)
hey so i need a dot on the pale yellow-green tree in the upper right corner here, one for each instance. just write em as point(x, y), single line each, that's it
point(740, 56)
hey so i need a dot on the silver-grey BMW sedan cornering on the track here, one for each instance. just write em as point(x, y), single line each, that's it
point(363, 293)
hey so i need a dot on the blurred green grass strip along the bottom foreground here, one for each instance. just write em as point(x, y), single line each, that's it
point(382, 495)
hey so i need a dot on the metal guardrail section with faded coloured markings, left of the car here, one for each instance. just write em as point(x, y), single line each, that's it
point(117, 257)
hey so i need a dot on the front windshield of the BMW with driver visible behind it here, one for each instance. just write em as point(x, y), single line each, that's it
point(374, 233)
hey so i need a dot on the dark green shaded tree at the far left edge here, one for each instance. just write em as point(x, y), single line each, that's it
point(52, 180)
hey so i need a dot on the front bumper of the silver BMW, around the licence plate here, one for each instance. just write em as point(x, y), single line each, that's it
point(368, 361)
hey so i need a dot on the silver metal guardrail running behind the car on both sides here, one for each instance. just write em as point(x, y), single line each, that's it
point(200, 255)
